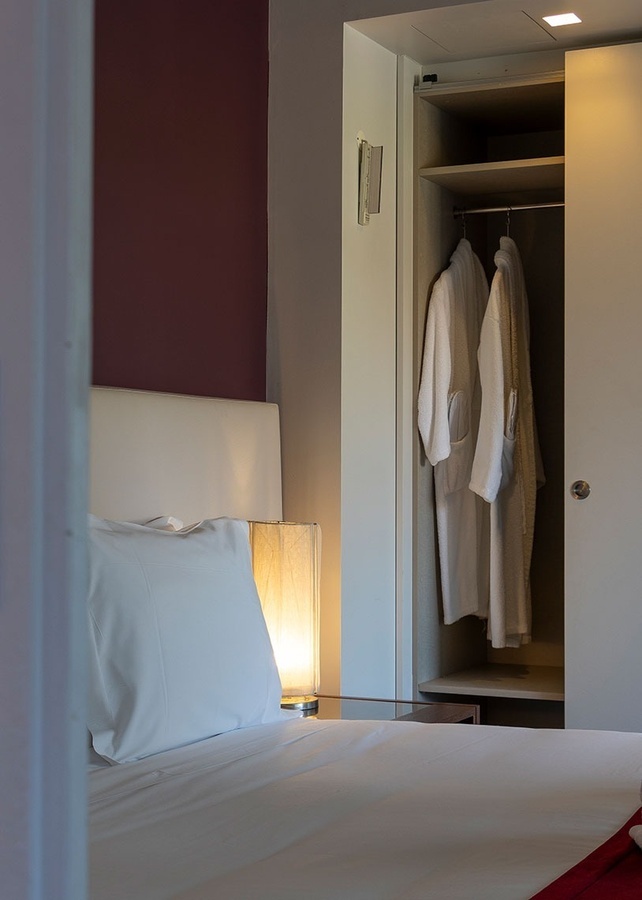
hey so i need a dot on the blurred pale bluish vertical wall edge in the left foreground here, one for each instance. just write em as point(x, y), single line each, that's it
point(45, 237)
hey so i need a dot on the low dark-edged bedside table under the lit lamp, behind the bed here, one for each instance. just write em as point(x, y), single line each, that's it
point(332, 707)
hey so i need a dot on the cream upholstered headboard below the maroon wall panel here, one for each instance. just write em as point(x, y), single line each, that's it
point(195, 458)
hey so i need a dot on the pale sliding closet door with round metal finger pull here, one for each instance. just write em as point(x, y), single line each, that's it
point(604, 387)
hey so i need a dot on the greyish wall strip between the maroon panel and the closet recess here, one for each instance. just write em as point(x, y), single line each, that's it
point(305, 277)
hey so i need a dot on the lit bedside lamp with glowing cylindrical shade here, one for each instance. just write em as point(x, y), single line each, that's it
point(285, 559)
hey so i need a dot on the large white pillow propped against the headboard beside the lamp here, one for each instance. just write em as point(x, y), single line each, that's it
point(179, 649)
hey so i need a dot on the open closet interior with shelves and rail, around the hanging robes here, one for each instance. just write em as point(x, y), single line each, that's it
point(490, 161)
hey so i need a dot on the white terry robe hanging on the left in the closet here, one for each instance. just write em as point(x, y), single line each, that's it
point(449, 406)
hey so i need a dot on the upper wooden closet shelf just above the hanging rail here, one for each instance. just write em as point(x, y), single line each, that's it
point(499, 177)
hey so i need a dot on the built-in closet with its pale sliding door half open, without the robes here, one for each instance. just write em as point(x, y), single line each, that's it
point(558, 155)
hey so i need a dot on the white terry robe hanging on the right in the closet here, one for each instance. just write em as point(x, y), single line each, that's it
point(507, 464)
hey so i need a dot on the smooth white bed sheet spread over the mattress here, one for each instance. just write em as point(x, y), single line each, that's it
point(359, 811)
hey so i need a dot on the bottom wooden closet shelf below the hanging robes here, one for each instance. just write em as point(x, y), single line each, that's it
point(502, 680)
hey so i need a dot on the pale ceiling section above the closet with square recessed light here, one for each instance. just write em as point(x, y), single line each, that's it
point(501, 27)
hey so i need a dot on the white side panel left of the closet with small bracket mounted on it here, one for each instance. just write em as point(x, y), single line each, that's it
point(368, 363)
